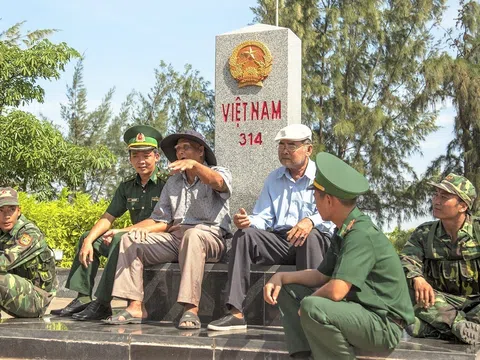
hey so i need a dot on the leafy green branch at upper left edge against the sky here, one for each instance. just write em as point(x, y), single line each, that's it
point(26, 58)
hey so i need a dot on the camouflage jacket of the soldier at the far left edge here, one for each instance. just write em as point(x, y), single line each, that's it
point(24, 252)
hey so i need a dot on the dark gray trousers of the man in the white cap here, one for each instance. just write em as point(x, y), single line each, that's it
point(253, 246)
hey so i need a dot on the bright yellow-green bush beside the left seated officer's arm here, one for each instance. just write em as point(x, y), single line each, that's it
point(65, 219)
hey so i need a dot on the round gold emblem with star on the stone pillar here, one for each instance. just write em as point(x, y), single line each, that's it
point(250, 63)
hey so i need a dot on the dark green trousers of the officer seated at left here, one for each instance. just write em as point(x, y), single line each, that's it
point(82, 279)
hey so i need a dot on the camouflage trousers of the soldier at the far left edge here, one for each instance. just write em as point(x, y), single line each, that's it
point(20, 298)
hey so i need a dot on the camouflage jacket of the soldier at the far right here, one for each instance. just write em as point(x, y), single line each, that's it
point(449, 267)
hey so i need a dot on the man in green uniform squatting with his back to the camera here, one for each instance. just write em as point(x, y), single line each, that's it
point(362, 300)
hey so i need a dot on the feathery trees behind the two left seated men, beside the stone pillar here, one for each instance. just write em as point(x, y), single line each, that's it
point(177, 101)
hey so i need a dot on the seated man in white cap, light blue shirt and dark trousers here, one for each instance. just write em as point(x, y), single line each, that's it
point(285, 227)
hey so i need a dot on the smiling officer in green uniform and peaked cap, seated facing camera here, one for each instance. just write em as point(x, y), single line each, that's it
point(139, 196)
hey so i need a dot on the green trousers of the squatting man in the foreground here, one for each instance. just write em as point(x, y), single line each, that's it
point(331, 330)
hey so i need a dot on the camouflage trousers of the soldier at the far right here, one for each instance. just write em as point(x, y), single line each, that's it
point(437, 321)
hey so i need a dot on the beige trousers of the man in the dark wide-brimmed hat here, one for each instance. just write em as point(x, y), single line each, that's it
point(191, 246)
